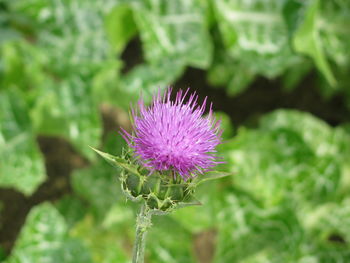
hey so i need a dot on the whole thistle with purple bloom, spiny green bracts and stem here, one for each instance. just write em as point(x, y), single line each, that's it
point(170, 151)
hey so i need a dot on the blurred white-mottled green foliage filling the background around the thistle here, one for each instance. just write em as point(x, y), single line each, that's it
point(60, 60)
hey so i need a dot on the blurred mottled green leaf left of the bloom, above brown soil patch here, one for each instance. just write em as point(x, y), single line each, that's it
point(67, 108)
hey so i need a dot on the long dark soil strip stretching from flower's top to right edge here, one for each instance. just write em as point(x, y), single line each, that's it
point(266, 95)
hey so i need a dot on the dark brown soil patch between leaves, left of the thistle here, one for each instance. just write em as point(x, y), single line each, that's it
point(60, 160)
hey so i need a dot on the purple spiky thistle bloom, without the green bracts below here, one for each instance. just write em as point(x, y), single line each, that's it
point(174, 135)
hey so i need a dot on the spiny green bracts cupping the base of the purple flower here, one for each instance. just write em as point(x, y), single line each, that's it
point(161, 192)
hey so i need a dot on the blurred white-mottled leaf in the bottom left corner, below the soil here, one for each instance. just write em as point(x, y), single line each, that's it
point(44, 238)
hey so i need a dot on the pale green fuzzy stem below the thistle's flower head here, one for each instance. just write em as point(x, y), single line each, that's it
point(143, 223)
